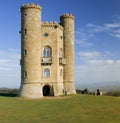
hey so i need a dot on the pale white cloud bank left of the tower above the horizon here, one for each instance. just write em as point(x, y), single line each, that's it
point(9, 68)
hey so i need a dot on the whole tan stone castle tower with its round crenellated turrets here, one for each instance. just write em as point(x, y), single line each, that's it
point(47, 54)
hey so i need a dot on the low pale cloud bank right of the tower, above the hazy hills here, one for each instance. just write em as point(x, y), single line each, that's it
point(96, 67)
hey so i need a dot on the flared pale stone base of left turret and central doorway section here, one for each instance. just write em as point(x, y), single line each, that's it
point(38, 90)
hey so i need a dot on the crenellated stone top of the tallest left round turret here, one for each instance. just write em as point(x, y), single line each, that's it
point(30, 6)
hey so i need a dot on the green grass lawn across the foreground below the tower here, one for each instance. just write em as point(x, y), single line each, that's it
point(74, 109)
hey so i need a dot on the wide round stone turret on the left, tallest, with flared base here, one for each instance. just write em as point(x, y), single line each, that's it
point(30, 50)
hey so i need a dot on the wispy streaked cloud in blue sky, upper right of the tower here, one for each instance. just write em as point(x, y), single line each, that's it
point(90, 30)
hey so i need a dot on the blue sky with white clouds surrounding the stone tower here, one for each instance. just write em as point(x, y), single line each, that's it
point(97, 38)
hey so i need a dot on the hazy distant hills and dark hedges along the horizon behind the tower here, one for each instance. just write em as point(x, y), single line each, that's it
point(107, 88)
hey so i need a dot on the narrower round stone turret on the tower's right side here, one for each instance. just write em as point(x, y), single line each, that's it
point(67, 21)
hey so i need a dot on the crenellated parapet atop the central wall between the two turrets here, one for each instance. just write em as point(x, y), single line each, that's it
point(52, 24)
